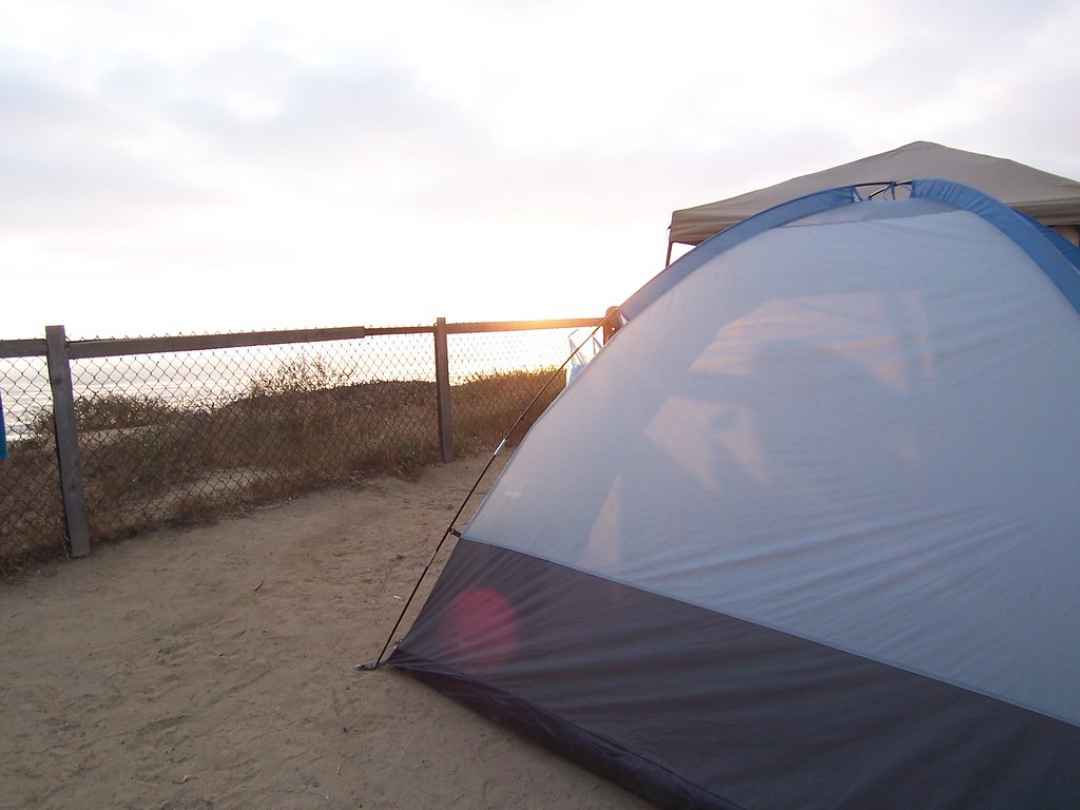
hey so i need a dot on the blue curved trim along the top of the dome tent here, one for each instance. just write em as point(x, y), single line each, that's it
point(1054, 254)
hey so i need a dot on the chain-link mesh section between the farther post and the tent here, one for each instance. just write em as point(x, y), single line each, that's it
point(495, 375)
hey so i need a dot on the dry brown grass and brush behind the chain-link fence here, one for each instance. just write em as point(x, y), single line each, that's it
point(150, 463)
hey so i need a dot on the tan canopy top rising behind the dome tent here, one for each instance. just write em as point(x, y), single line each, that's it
point(1052, 200)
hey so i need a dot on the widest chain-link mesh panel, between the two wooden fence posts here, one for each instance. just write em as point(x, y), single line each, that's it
point(182, 437)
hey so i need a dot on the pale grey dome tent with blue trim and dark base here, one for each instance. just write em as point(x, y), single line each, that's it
point(818, 549)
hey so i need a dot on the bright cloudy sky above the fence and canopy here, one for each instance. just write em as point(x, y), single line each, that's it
point(185, 167)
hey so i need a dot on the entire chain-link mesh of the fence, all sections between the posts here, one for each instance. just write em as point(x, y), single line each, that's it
point(170, 437)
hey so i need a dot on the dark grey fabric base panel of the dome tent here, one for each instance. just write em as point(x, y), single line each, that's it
point(696, 709)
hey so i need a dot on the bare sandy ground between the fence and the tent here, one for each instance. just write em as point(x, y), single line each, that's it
point(211, 668)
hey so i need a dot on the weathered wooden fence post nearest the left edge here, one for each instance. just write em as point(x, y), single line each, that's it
point(67, 443)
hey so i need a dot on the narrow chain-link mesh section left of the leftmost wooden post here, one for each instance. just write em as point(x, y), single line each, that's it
point(32, 518)
